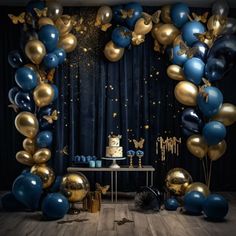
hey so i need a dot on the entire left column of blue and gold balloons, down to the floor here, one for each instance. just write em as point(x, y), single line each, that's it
point(46, 39)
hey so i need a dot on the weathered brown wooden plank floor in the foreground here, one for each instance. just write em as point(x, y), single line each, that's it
point(99, 224)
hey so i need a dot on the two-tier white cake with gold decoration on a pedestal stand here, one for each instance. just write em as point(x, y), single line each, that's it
point(114, 149)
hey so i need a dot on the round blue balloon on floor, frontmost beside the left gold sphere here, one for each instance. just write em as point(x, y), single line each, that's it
point(55, 206)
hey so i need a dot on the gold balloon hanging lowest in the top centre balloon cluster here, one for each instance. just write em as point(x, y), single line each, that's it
point(112, 52)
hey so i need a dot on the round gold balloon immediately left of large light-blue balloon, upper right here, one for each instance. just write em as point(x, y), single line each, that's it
point(166, 34)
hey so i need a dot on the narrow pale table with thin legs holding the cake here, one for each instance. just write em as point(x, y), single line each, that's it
point(114, 171)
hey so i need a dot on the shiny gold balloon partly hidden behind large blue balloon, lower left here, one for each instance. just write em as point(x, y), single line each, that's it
point(45, 173)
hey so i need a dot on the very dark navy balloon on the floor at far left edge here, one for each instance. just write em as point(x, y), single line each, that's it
point(10, 203)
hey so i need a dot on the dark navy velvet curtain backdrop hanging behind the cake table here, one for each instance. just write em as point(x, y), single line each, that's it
point(133, 97)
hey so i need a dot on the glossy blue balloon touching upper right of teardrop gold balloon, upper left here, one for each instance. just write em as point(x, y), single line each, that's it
point(49, 35)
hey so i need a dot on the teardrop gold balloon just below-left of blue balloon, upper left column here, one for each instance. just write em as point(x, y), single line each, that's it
point(35, 51)
